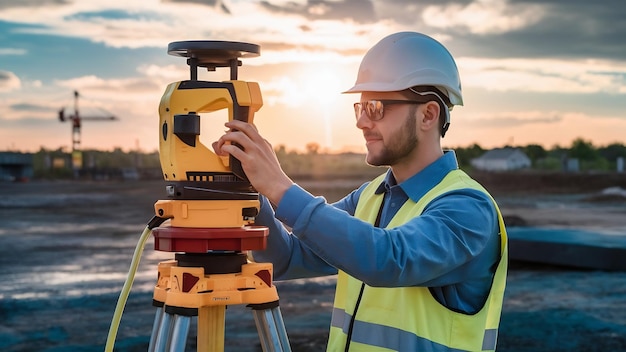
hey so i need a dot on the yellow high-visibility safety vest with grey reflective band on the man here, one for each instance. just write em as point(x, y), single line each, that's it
point(409, 318)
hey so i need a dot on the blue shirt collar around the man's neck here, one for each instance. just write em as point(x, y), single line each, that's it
point(417, 185)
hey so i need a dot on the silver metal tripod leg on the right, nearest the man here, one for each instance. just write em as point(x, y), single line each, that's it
point(271, 329)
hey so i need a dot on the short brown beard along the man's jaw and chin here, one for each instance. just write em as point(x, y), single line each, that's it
point(398, 146)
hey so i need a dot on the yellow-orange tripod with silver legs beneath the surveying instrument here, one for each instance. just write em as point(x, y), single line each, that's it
point(202, 286)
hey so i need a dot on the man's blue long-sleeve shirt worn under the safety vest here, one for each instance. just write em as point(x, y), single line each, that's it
point(452, 247)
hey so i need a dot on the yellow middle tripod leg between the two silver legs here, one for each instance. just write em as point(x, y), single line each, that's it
point(211, 321)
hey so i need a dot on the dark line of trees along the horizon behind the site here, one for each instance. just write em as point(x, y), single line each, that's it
point(314, 163)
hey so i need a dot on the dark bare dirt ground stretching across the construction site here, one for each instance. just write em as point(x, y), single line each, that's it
point(65, 249)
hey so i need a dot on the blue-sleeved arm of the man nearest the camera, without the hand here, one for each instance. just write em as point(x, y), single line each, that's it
point(454, 240)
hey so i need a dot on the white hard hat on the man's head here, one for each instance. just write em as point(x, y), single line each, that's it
point(407, 59)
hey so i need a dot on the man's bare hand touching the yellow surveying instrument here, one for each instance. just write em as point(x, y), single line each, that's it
point(257, 158)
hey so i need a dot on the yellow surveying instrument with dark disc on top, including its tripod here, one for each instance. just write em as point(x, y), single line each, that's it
point(208, 216)
